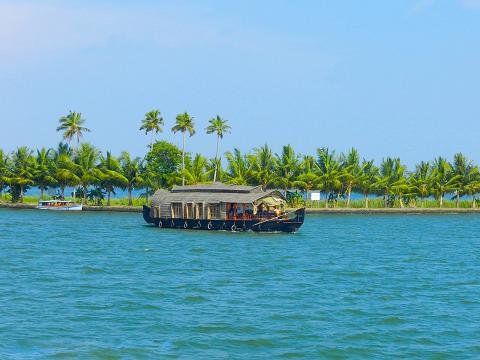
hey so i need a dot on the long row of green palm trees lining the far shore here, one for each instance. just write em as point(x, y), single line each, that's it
point(96, 175)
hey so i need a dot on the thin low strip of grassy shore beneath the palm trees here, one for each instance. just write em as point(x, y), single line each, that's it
point(136, 209)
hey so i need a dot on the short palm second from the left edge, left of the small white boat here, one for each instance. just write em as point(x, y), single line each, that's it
point(22, 168)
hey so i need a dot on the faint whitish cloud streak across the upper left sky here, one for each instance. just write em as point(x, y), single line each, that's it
point(35, 31)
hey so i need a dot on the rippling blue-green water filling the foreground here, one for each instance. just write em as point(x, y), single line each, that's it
point(103, 285)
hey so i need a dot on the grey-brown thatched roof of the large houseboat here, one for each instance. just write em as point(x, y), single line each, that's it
point(212, 194)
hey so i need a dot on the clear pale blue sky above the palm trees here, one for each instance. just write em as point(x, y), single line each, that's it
point(390, 78)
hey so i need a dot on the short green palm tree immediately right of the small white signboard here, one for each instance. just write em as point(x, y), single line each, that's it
point(329, 171)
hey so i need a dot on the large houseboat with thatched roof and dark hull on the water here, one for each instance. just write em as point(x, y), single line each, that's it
point(220, 206)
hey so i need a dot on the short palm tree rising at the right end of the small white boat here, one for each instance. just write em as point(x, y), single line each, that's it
point(85, 168)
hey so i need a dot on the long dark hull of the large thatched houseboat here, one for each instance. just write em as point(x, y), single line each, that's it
point(274, 225)
